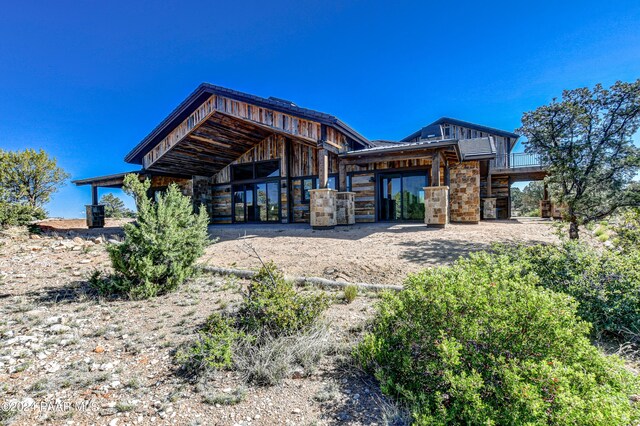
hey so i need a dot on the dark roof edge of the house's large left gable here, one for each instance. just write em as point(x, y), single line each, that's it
point(204, 90)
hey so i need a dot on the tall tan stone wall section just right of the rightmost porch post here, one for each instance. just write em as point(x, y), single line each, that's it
point(464, 190)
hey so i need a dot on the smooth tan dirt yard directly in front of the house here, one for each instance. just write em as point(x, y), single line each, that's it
point(373, 253)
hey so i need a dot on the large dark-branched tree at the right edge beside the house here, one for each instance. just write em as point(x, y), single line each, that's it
point(586, 141)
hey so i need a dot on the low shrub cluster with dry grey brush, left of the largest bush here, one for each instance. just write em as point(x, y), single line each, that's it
point(273, 334)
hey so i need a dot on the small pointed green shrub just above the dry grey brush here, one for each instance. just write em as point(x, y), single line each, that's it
point(272, 304)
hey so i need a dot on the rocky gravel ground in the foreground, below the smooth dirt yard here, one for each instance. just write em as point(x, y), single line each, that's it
point(70, 357)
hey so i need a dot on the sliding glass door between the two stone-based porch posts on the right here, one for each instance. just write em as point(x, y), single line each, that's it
point(401, 196)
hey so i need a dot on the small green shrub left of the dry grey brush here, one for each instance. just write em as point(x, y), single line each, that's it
point(212, 349)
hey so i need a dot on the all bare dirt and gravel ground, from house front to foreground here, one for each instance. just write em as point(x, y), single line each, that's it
point(70, 357)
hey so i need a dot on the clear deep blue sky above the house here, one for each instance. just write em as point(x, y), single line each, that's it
point(88, 80)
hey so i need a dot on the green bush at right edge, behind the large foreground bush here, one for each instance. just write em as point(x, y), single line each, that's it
point(605, 283)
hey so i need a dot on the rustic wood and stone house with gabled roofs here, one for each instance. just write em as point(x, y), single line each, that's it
point(250, 159)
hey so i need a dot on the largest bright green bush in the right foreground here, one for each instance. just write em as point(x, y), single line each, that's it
point(480, 342)
